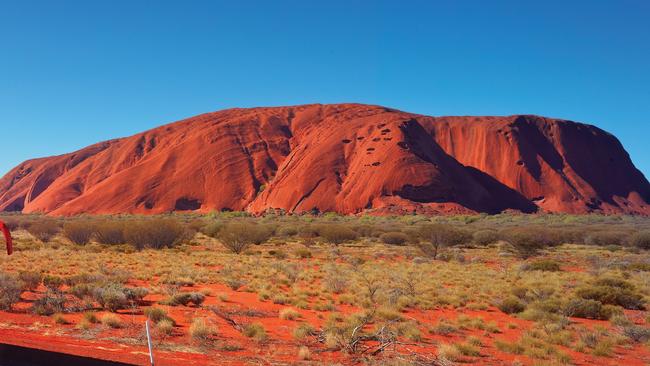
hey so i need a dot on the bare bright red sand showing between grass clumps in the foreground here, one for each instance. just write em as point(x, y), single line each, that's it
point(26, 329)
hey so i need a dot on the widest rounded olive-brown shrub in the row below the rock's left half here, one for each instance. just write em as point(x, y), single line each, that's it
point(155, 234)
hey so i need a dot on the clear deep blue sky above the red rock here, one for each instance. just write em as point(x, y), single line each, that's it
point(73, 73)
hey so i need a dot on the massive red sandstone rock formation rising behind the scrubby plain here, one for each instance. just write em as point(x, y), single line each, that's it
point(348, 158)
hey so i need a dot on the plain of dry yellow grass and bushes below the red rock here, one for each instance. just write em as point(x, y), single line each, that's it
point(547, 273)
